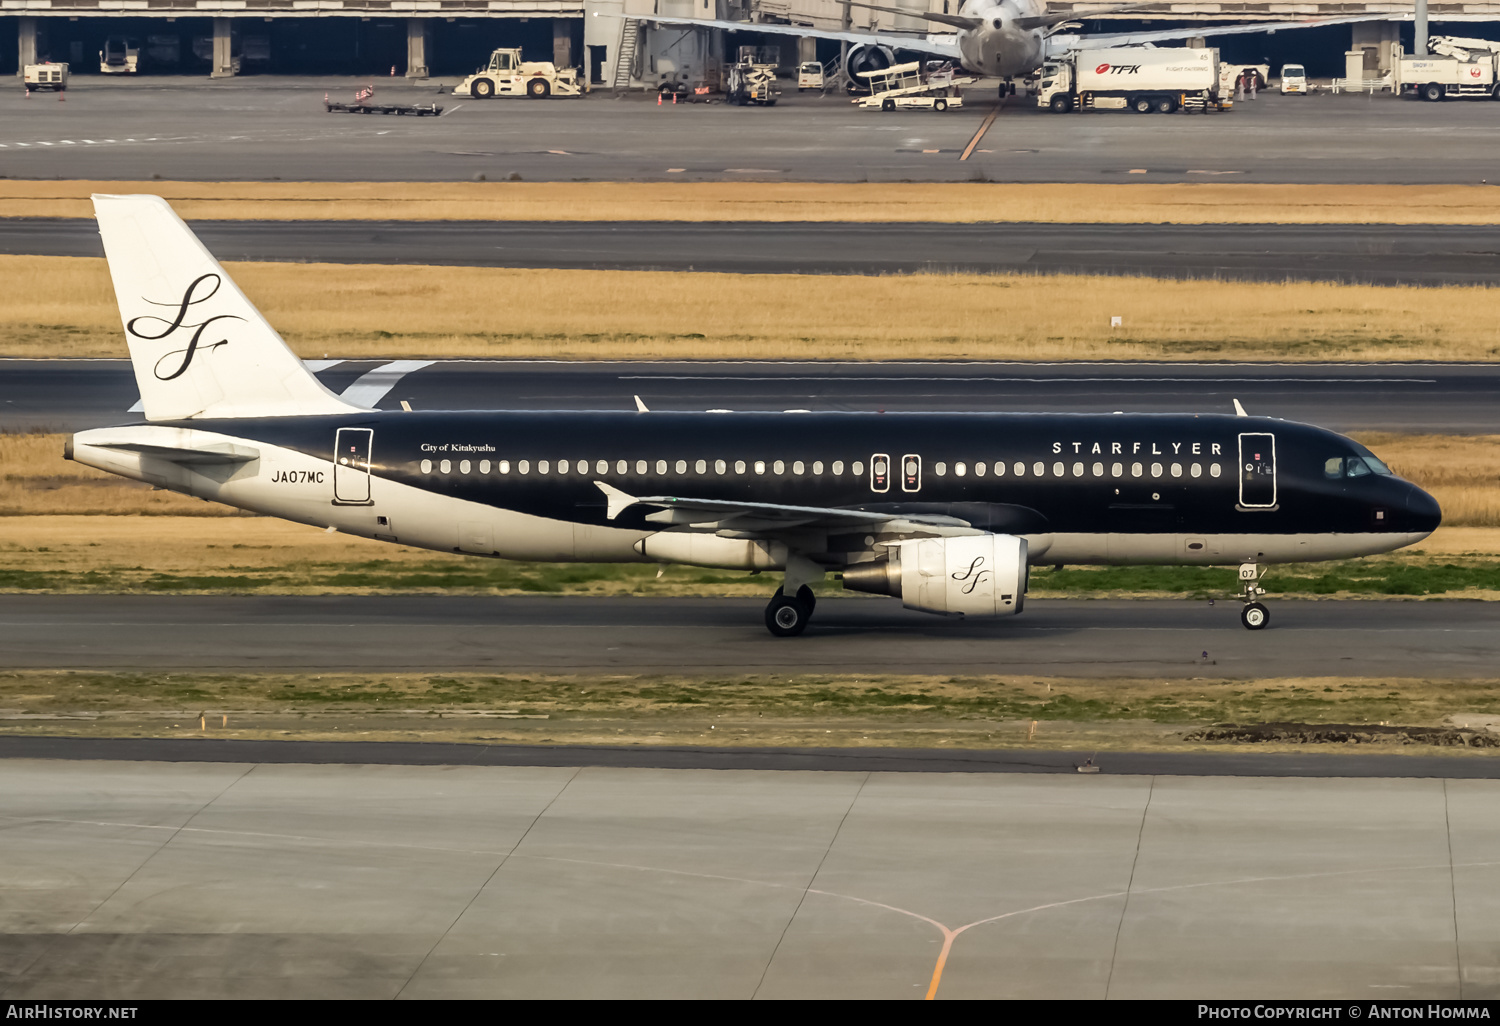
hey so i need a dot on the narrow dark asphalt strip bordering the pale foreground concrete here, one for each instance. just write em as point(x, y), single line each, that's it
point(418, 754)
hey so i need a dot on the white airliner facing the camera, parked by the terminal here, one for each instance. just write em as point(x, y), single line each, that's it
point(1000, 38)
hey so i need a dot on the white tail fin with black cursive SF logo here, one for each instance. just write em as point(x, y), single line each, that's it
point(199, 346)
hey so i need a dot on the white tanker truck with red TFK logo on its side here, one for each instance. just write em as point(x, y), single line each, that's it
point(1147, 80)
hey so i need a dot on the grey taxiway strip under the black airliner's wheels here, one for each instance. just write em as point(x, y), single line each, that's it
point(431, 634)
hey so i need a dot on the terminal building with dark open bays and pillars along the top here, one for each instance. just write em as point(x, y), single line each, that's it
point(613, 41)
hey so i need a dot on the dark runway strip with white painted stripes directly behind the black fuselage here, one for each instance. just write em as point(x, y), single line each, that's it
point(71, 395)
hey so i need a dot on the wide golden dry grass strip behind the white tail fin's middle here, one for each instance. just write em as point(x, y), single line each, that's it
point(58, 307)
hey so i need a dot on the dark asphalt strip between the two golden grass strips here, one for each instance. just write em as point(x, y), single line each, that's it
point(1367, 254)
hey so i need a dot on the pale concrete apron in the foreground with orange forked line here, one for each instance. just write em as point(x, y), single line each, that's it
point(146, 880)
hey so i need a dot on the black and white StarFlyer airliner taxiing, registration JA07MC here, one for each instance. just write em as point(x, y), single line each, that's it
point(943, 511)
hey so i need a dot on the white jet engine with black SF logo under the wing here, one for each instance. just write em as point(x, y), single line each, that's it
point(979, 575)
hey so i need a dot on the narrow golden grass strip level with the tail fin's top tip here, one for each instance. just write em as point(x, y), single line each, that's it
point(1207, 203)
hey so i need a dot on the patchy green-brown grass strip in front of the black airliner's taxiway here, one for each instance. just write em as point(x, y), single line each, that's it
point(800, 710)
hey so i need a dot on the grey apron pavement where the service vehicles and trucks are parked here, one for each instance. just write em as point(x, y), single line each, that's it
point(275, 128)
